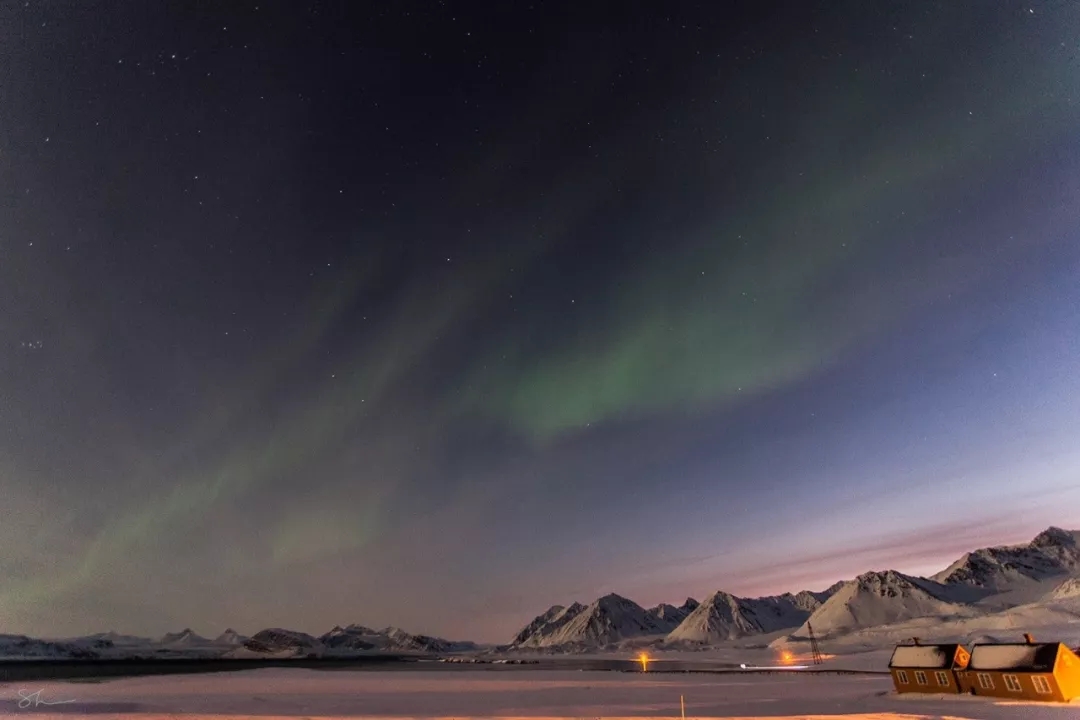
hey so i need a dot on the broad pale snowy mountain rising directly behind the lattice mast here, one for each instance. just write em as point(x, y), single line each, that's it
point(881, 599)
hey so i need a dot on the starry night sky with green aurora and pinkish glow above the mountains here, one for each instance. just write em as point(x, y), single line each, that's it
point(435, 315)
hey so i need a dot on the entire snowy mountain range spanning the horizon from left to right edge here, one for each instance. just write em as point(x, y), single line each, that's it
point(981, 583)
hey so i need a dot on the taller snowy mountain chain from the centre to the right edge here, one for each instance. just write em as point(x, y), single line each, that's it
point(873, 599)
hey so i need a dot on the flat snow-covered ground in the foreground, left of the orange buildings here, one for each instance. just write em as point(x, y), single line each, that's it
point(287, 692)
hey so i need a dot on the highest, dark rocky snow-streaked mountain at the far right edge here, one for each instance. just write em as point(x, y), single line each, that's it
point(1052, 553)
